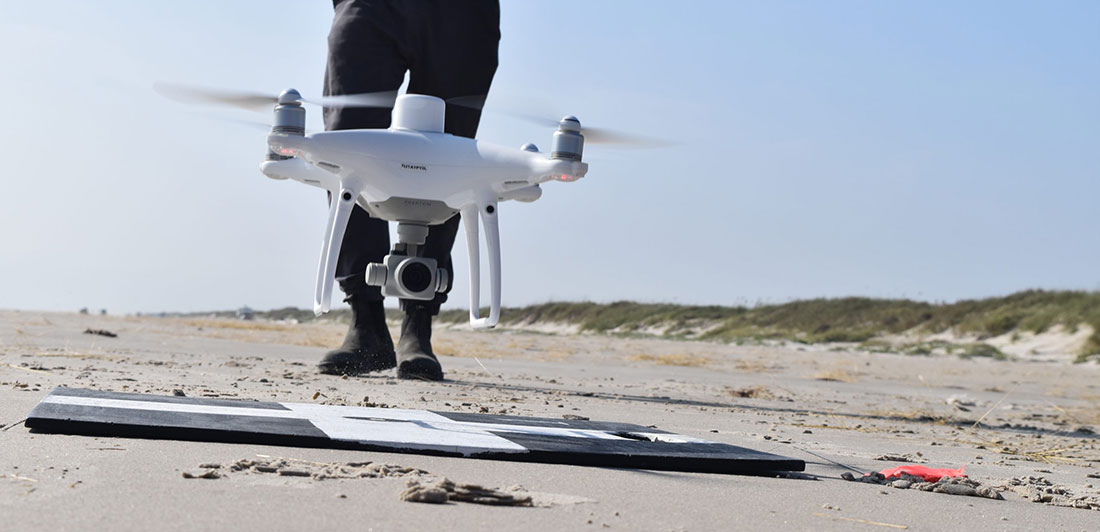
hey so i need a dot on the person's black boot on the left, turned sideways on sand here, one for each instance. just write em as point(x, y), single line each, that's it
point(368, 347)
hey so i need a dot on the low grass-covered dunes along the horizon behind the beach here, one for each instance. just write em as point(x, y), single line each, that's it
point(854, 319)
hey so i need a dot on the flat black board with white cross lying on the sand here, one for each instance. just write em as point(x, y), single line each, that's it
point(508, 438)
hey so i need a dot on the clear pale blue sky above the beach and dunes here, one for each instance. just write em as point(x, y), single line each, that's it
point(927, 150)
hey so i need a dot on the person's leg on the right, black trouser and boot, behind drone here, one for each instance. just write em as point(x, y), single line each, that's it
point(457, 57)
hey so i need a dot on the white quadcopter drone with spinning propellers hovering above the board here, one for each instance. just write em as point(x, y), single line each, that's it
point(412, 174)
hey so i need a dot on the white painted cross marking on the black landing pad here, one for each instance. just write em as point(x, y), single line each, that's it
point(403, 429)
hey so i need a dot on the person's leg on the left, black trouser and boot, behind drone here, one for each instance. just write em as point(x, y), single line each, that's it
point(364, 58)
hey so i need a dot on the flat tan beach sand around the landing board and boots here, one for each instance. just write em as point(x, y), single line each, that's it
point(839, 411)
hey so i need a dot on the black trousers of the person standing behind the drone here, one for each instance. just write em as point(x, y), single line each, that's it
point(449, 49)
